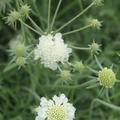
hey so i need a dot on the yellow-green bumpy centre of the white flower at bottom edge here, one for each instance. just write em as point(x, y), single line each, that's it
point(57, 112)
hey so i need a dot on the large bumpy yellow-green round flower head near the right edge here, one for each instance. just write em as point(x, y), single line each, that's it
point(107, 77)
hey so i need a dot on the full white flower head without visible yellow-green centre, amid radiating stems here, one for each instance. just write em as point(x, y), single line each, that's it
point(52, 50)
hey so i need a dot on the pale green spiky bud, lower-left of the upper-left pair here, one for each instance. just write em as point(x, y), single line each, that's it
point(13, 17)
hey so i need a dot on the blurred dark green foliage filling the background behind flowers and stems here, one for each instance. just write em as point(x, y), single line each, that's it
point(20, 89)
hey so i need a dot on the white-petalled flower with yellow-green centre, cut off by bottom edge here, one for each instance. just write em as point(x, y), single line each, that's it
point(56, 109)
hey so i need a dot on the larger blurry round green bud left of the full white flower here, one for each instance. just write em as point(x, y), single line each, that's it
point(20, 50)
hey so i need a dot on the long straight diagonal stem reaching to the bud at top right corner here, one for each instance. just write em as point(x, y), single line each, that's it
point(70, 21)
